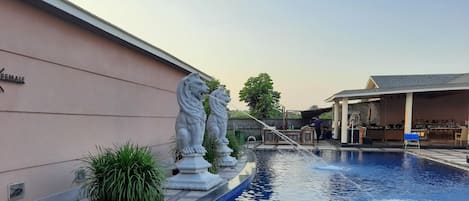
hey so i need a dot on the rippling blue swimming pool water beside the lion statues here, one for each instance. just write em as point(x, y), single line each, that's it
point(356, 176)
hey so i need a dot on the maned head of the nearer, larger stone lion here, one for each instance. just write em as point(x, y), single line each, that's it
point(190, 93)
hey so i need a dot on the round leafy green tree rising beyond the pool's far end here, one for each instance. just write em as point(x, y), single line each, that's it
point(258, 92)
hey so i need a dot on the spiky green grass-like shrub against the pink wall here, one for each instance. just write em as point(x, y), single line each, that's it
point(123, 173)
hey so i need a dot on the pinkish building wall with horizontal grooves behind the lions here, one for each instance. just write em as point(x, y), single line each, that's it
point(81, 90)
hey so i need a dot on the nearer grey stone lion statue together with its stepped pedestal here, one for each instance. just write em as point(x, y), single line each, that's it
point(190, 127)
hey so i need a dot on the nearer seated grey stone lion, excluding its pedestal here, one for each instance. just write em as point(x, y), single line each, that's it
point(190, 122)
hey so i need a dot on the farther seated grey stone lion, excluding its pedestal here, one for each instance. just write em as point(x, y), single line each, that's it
point(218, 118)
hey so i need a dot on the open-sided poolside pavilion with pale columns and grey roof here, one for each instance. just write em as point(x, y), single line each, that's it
point(436, 106)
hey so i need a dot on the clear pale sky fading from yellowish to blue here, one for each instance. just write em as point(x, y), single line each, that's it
point(311, 49)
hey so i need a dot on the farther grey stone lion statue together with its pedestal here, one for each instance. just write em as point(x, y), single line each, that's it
point(216, 126)
